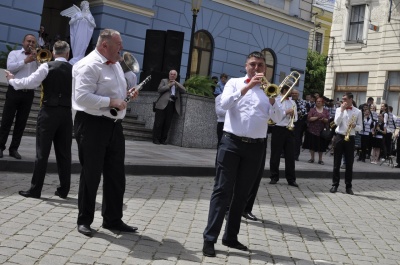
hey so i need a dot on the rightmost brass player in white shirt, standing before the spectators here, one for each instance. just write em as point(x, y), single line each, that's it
point(348, 120)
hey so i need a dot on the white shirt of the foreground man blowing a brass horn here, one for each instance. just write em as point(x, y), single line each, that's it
point(247, 115)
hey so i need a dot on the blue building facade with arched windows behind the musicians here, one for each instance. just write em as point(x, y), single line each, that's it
point(225, 31)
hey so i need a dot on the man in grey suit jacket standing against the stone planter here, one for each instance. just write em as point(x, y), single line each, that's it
point(170, 99)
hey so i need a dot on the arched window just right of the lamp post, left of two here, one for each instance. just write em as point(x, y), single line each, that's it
point(203, 46)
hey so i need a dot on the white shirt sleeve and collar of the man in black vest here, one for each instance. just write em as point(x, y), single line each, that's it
point(35, 79)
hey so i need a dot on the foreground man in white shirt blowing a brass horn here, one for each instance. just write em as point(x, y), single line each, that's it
point(240, 153)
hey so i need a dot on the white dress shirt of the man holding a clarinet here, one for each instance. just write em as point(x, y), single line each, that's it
point(94, 83)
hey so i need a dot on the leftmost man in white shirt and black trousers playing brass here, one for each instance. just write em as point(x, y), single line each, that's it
point(21, 63)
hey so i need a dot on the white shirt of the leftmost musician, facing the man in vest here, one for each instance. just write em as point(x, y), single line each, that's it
point(17, 66)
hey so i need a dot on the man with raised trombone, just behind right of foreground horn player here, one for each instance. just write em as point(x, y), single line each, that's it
point(283, 138)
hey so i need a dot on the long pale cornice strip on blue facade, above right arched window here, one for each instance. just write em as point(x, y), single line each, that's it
point(268, 13)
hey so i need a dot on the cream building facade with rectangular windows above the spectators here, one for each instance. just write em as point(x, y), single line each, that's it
point(364, 53)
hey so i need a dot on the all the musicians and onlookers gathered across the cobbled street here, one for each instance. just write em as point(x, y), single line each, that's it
point(246, 116)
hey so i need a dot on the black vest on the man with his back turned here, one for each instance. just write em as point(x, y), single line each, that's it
point(57, 86)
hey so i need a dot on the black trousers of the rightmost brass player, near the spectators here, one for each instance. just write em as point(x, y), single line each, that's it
point(345, 148)
